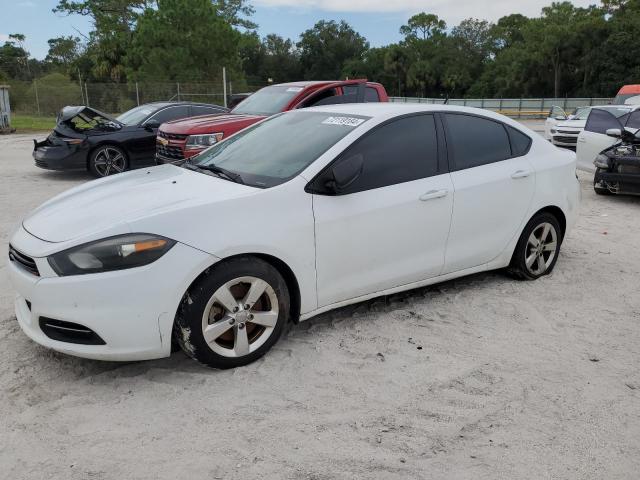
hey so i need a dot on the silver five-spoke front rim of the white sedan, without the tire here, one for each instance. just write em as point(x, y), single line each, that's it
point(240, 316)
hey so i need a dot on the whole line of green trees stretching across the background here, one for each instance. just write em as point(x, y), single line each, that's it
point(566, 51)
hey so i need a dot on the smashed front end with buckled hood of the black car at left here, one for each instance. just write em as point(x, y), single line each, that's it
point(67, 146)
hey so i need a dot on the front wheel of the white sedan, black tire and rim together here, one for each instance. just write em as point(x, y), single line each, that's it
point(214, 325)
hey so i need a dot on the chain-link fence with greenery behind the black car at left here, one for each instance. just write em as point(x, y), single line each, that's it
point(47, 97)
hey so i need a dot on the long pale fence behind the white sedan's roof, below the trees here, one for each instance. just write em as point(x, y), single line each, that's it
point(512, 107)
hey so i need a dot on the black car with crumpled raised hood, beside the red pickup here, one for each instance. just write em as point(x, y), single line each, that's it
point(86, 139)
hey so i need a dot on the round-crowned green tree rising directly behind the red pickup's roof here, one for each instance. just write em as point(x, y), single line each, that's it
point(326, 48)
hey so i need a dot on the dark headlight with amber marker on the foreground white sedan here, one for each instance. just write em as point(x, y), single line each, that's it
point(114, 253)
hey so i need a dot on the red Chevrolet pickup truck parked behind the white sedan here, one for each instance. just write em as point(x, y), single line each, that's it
point(185, 138)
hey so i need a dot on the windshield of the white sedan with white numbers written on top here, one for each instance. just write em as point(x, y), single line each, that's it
point(276, 150)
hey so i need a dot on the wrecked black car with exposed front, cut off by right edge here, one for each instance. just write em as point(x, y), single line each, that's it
point(618, 167)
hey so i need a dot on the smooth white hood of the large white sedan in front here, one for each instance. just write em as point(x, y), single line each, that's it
point(111, 206)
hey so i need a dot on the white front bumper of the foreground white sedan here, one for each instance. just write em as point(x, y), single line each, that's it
point(131, 310)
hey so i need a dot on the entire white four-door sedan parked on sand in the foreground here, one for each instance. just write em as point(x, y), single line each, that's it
point(302, 213)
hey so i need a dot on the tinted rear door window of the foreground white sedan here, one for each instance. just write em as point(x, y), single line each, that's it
point(476, 141)
